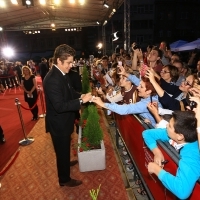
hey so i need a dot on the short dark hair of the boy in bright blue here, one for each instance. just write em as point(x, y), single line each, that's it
point(185, 123)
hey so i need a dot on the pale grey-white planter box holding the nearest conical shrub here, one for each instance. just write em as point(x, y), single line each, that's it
point(93, 159)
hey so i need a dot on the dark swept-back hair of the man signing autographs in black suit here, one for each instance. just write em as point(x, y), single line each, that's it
point(62, 52)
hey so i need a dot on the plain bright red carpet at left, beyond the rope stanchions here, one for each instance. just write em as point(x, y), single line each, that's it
point(10, 122)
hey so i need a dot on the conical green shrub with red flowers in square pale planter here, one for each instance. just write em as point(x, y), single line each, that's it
point(91, 149)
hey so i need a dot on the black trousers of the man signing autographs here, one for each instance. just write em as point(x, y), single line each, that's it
point(62, 149)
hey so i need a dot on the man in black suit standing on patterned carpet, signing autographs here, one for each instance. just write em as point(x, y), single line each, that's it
point(61, 104)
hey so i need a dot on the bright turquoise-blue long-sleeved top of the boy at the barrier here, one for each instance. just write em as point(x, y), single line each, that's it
point(188, 171)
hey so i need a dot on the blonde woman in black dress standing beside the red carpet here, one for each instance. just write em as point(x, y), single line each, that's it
point(30, 90)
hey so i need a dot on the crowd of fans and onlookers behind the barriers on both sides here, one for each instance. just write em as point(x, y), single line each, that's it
point(158, 85)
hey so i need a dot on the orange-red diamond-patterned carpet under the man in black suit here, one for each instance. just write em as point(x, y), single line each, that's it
point(33, 175)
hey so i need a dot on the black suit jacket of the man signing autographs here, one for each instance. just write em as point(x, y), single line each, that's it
point(61, 103)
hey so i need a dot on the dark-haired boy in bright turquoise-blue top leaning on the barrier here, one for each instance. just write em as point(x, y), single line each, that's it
point(181, 129)
